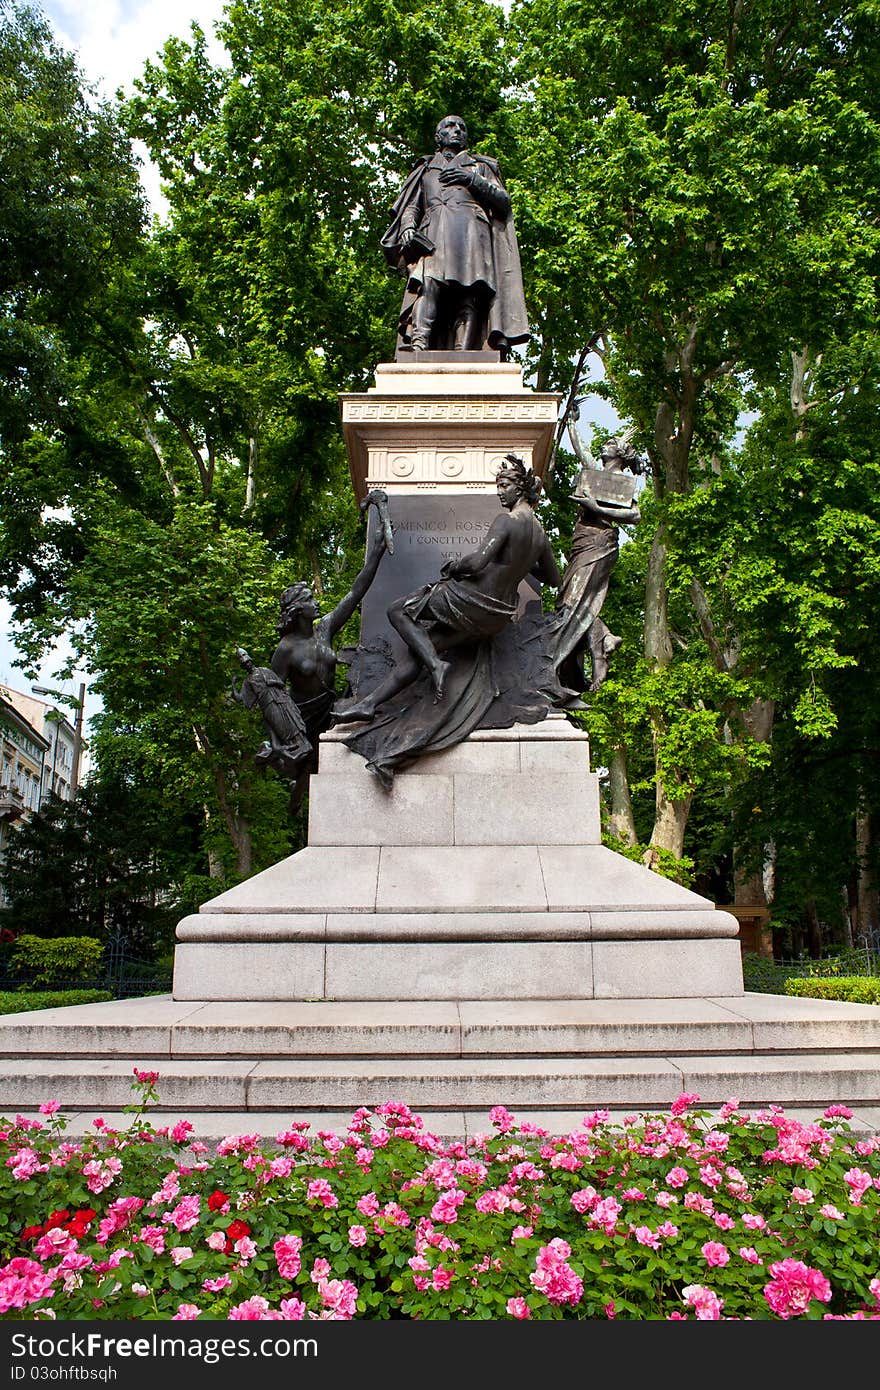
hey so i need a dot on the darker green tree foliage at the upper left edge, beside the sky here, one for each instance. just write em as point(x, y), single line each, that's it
point(72, 209)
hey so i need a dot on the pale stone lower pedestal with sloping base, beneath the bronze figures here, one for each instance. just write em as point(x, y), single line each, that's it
point(480, 876)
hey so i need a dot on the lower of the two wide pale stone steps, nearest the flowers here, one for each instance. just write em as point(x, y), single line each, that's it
point(444, 1084)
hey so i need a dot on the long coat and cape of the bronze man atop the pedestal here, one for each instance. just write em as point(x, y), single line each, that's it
point(476, 244)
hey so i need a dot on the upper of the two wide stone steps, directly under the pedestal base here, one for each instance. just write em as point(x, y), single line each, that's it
point(162, 1028)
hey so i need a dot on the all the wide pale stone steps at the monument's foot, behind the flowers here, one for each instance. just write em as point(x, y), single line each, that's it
point(234, 1067)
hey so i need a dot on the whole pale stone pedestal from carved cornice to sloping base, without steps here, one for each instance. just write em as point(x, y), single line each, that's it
point(482, 875)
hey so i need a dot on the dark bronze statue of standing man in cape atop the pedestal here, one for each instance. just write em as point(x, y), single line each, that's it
point(453, 238)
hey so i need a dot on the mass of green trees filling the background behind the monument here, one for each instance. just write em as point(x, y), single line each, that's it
point(694, 194)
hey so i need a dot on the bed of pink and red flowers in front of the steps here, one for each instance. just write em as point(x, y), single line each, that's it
point(664, 1217)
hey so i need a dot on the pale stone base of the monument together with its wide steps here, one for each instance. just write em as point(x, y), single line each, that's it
point(459, 943)
